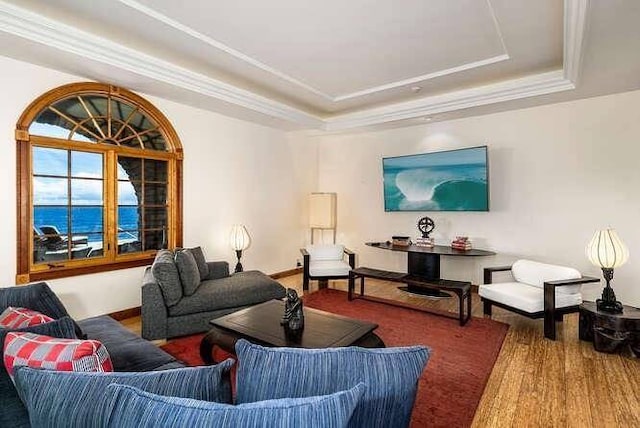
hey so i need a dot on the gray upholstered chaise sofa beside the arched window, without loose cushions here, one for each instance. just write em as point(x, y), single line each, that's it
point(169, 311)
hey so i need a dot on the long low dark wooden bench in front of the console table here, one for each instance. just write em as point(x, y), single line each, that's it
point(462, 289)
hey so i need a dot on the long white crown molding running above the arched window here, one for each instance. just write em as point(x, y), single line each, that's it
point(45, 31)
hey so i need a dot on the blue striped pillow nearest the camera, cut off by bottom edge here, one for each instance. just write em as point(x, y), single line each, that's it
point(133, 408)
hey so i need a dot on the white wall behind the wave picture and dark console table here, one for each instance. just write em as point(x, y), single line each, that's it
point(557, 173)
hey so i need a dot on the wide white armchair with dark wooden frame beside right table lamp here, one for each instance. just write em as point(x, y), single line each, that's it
point(539, 290)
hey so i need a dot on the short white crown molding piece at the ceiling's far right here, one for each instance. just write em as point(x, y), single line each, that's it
point(575, 28)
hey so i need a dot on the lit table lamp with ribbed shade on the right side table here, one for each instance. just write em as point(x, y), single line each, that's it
point(607, 251)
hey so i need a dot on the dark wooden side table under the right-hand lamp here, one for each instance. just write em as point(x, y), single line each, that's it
point(608, 331)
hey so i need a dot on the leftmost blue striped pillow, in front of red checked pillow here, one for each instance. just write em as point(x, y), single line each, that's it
point(72, 399)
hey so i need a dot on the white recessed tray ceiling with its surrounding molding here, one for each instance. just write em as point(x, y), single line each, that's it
point(325, 65)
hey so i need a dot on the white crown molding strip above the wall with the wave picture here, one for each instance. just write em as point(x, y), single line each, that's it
point(531, 86)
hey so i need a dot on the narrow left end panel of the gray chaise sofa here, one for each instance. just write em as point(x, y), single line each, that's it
point(153, 309)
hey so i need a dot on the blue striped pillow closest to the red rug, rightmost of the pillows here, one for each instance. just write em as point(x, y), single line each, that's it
point(391, 376)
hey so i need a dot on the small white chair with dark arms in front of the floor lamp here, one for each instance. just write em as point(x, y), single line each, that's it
point(323, 262)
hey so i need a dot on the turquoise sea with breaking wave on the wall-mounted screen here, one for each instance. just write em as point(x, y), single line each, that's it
point(436, 188)
